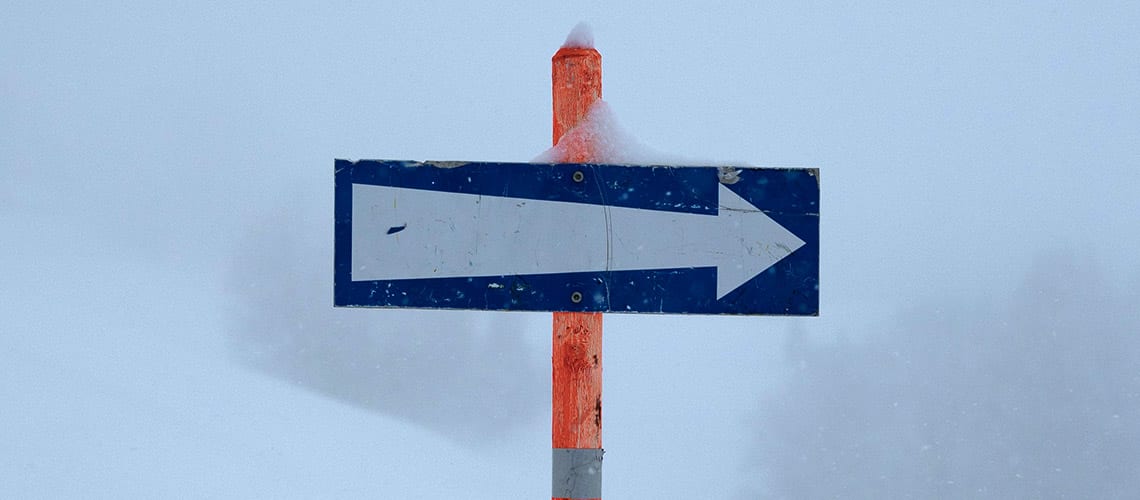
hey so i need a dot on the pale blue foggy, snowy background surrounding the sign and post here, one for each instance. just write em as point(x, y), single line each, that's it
point(166, 225)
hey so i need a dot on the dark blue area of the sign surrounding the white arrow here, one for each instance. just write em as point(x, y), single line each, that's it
point(789, 196)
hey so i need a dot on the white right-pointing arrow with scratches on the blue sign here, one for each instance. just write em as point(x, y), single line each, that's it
point(413, 234)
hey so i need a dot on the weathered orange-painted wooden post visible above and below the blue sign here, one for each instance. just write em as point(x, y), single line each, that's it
point(577, 355)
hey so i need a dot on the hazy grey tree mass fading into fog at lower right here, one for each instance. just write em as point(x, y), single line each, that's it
point(1038, 397)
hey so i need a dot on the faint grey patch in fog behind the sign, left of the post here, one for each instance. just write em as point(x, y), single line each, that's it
point(466, 375)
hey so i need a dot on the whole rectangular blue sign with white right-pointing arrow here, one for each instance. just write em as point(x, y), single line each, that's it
point(577, 237)
